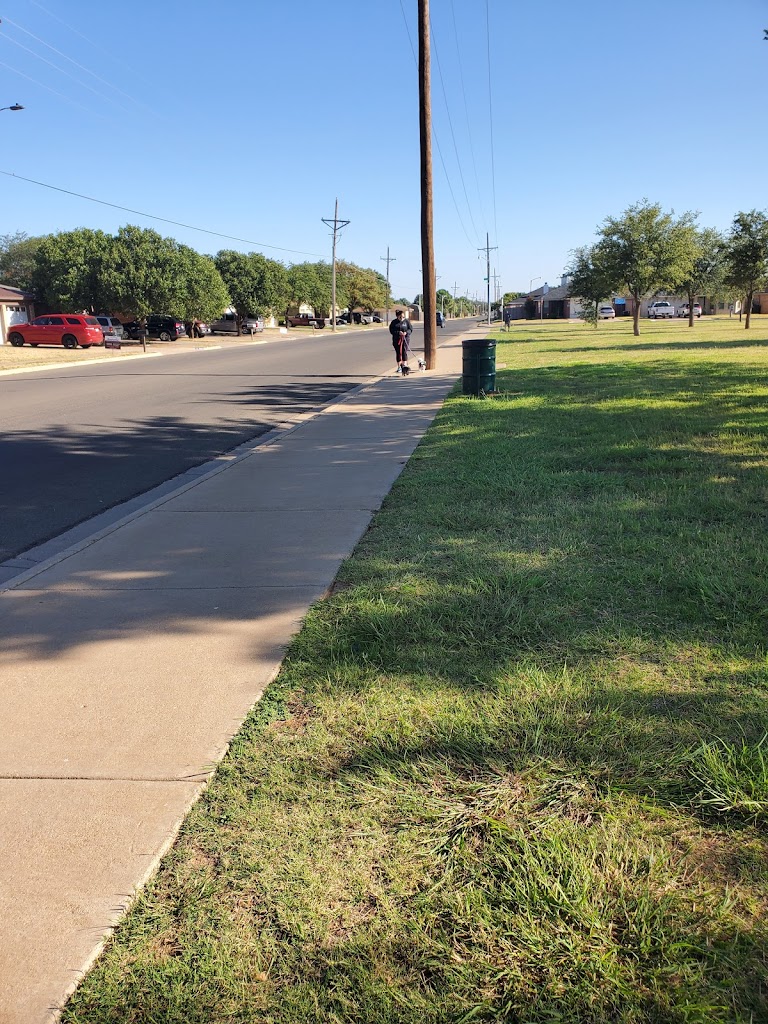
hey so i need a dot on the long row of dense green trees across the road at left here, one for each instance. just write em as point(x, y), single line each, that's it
point(139, 272)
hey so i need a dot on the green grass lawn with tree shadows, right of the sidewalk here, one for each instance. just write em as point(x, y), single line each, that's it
point(515, 770)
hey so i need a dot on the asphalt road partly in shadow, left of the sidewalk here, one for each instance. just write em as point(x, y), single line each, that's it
point(77, 441)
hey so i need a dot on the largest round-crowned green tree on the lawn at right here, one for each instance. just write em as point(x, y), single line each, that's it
point(646, 250)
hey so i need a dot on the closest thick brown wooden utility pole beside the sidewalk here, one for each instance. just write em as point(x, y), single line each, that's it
point(428, 239)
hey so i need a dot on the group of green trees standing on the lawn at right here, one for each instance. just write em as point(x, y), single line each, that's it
point(646, 251)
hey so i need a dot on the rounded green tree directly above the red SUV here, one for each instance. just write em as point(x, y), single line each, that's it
point(69, 272)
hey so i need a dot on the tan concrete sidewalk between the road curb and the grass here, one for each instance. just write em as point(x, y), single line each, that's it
point(131, 661)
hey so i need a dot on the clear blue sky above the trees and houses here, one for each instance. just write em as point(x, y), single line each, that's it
point(249, 118)
